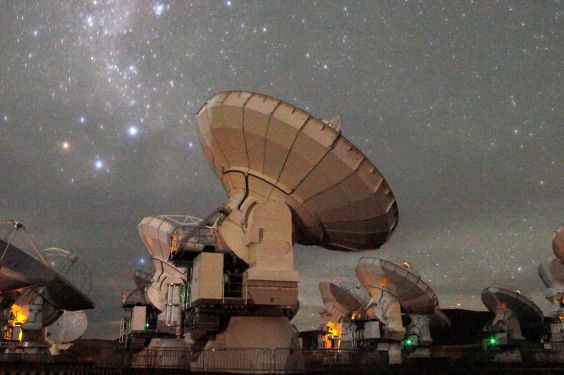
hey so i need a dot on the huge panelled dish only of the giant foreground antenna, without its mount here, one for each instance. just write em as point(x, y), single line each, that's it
point(263, 147)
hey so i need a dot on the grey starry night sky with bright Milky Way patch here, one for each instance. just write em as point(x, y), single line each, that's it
point(458, 104)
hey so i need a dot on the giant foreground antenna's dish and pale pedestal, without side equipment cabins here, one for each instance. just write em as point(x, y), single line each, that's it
point(291, 178)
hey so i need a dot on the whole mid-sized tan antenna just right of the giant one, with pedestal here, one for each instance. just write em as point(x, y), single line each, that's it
point(395, 288)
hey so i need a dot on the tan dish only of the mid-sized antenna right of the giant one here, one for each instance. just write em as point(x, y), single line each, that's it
point(401, 281)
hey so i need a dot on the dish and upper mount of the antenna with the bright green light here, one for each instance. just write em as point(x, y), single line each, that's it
point(513, 312)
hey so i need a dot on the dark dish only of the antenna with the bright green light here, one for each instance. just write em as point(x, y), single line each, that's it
point(499, 300)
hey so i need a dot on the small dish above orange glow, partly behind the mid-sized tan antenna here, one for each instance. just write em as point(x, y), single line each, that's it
point(340, 300)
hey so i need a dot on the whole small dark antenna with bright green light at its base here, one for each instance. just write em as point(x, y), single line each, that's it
point(513, 312)
